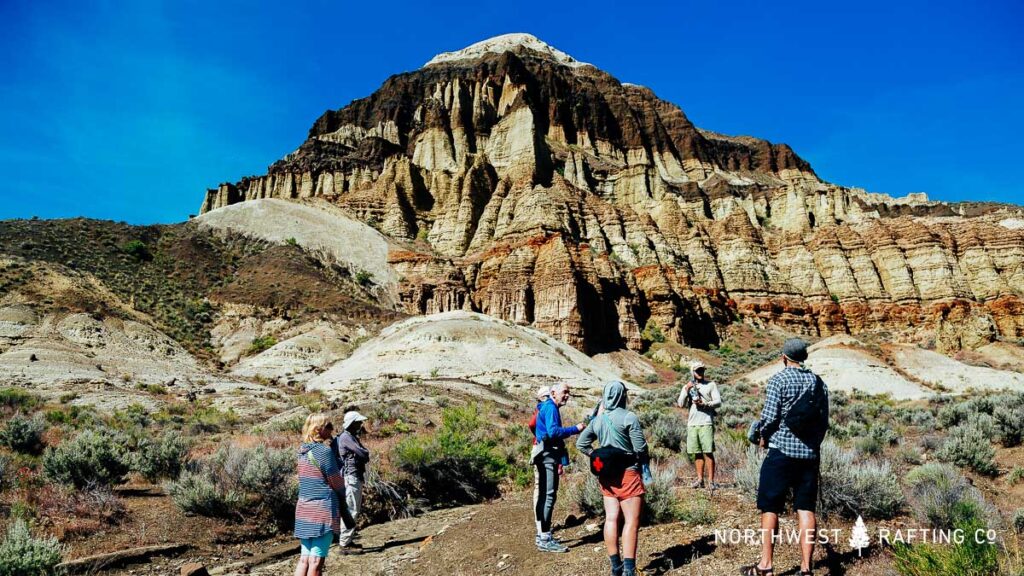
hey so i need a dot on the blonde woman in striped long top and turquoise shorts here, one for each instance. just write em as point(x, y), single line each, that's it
point(318, 513)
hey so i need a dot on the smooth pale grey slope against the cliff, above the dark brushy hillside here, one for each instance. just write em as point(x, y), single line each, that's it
point(318, 227)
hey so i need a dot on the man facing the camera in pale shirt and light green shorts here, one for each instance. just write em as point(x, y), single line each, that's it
point(701, 396)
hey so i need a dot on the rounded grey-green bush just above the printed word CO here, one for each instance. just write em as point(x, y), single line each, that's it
point(935, 492)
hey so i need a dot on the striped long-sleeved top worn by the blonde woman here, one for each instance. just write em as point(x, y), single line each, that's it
point(321, 491)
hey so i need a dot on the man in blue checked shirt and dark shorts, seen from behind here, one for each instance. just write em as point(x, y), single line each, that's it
point(794, 423)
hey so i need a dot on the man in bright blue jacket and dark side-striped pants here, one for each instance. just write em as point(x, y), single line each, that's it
point(549, 457)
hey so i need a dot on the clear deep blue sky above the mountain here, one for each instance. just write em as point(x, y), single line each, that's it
point(131, 110)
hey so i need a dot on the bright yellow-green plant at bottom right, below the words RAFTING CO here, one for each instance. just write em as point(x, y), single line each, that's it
point(967, 559)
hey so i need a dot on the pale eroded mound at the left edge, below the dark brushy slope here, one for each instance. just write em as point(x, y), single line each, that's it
point(111, 364)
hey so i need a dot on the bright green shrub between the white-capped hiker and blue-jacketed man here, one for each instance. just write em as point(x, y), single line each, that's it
point(458, 465)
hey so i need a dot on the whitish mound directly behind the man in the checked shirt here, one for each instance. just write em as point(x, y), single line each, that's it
point(846, 366)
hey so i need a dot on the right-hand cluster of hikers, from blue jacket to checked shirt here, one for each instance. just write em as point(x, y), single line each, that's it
point(791, 427)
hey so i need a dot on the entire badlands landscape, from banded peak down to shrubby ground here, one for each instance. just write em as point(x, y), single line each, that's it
point(504, 217)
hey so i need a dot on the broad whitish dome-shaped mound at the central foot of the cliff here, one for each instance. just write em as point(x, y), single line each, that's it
point(466, 347)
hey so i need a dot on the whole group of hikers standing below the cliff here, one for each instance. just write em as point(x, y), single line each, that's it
point(792, 426)
